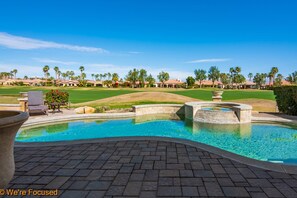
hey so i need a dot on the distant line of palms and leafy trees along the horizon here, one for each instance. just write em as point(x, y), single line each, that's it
point(141, 78)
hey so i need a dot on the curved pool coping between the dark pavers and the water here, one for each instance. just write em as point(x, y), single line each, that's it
point(290, 169)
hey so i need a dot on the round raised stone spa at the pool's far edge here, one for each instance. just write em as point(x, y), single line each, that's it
point(218, 112)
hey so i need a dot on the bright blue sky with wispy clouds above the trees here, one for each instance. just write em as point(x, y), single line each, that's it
point(175, 36)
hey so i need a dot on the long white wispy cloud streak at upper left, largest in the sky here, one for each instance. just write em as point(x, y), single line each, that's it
point(23, 43)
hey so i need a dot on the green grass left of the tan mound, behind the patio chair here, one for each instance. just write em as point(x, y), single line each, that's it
point(77, 95)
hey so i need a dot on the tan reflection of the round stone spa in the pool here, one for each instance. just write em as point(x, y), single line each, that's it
point(242, 130)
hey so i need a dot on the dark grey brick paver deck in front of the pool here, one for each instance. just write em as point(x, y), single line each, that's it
point(143, 169)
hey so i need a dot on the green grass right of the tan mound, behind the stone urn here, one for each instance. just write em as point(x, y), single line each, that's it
point(204, 94)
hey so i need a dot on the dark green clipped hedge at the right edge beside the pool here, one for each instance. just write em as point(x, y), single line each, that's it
point(286, 98)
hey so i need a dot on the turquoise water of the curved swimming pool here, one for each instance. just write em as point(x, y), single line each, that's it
point(265, 142)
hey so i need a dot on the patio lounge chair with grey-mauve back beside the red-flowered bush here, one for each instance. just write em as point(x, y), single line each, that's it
point(36, 103)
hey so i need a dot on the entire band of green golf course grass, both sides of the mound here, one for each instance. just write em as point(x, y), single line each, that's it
point(79, 95)
